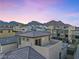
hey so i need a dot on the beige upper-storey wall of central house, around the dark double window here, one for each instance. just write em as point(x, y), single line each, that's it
point(31, 41)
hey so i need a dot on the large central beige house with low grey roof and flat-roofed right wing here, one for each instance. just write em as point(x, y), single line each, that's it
point(41, 42)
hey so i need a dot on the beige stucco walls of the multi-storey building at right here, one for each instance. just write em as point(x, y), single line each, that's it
point(54, 29)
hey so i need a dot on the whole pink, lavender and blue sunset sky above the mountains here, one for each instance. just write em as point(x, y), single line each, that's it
point(25, 11)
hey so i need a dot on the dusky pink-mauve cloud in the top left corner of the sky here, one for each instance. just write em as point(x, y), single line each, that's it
point(7, 4)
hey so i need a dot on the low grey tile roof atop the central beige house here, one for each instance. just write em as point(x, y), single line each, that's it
point(34, 33)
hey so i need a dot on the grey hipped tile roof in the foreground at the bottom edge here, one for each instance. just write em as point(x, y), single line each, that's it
point(23, 53)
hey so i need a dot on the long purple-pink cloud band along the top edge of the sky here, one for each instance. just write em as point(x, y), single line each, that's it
point(39, 4)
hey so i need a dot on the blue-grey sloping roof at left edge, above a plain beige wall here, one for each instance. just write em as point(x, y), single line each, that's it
point(8, 40)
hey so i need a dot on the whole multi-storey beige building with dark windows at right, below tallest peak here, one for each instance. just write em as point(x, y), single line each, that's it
point(62, 32)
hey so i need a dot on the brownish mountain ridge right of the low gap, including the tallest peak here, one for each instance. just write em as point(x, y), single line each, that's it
point(53, 22)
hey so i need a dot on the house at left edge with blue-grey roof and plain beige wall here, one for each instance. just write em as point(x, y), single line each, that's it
point(8, 44)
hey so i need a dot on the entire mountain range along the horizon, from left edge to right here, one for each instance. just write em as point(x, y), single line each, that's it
point(53, 22)
